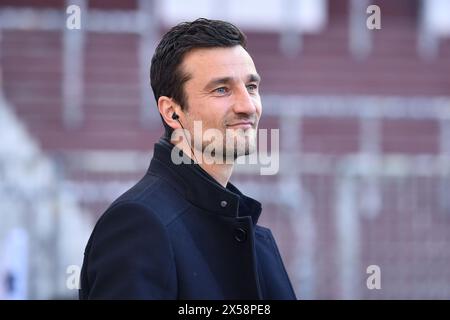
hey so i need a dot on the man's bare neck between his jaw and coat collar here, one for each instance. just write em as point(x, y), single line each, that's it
point(220, 172)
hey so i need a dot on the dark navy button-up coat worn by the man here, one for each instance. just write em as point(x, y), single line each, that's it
point(178, 234)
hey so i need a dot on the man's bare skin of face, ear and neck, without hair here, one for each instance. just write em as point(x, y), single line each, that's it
point(226, 107)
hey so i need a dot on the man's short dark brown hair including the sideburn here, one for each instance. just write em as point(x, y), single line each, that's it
point(166, 76)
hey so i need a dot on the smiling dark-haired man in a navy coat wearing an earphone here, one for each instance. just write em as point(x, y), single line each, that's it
point(183, 231)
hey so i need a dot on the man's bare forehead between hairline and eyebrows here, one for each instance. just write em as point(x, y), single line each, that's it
point(206, 63)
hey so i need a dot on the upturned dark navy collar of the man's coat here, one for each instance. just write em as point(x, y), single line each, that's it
point(199, 187)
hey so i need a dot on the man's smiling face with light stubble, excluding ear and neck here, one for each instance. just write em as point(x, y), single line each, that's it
point(223, 93)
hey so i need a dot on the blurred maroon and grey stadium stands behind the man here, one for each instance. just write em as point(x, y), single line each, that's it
point(364, 119)
